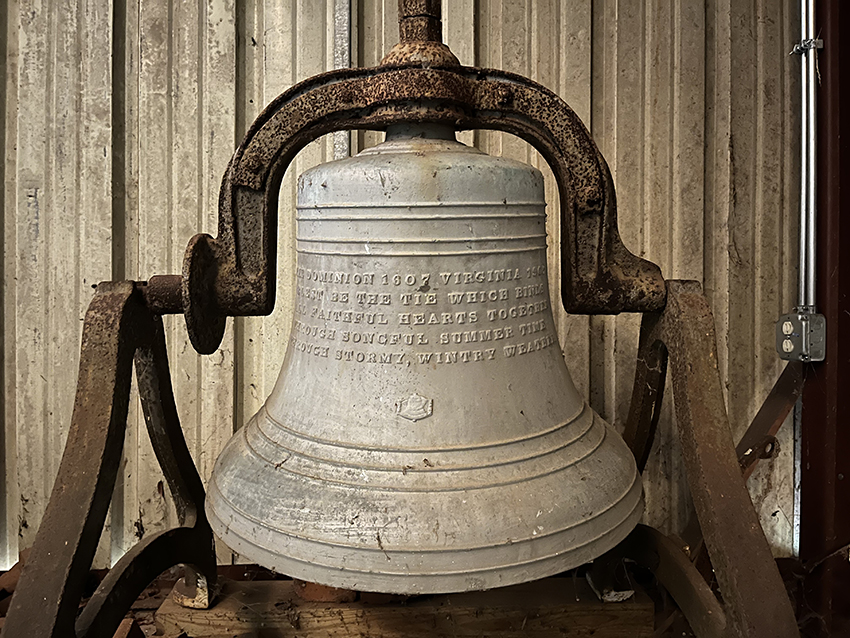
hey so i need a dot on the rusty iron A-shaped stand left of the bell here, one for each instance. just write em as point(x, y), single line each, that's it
point(119, 328)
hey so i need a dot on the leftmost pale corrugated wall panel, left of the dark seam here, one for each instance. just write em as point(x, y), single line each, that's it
point(55, 211)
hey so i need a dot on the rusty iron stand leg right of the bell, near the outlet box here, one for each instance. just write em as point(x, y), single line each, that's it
point(755, 601)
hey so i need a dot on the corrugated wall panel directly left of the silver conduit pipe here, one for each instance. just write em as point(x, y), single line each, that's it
point(753, 183)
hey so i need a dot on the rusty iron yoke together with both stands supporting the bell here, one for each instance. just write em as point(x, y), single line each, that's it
point(233, 274)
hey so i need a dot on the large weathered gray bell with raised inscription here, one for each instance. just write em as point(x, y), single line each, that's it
point(424, 434)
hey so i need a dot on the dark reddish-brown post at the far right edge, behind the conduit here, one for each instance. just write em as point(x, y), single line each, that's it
point(825, 499)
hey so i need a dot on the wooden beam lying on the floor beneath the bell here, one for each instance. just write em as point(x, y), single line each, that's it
point(550, 607)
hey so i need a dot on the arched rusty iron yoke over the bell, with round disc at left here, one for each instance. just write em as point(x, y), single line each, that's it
point(234, 273)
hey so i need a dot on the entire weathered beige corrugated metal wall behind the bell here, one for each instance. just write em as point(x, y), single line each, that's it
point(120, 117)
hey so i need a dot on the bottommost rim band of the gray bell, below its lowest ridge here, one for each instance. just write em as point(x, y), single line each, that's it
point(483, 578)
